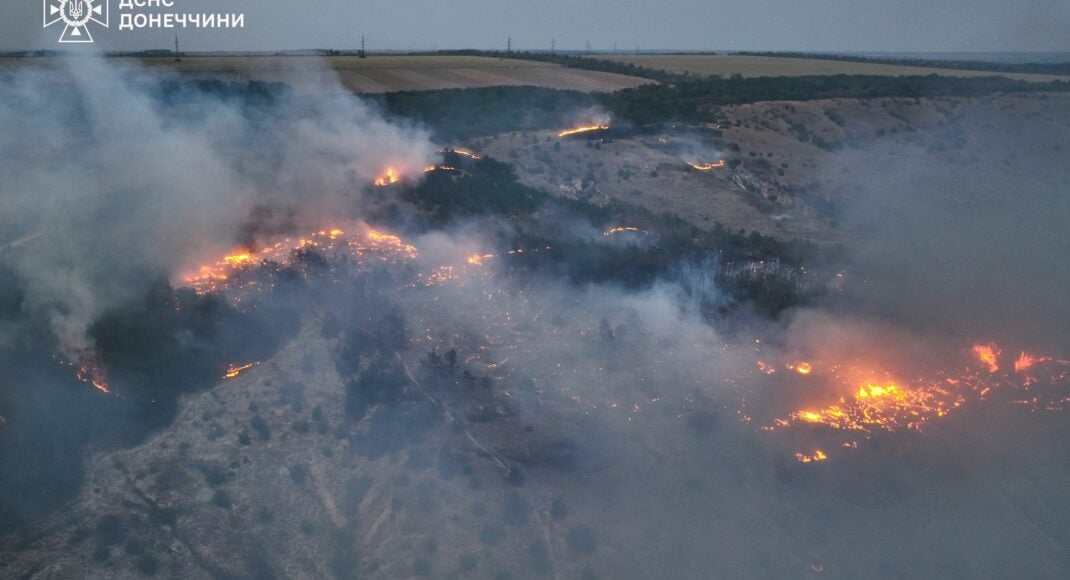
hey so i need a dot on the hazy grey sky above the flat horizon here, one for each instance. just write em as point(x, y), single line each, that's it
point(759, 25)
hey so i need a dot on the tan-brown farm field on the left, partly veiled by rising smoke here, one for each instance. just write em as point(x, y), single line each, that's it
point(381, 74)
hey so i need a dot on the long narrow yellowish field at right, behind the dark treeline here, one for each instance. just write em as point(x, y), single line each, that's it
point(781, 67)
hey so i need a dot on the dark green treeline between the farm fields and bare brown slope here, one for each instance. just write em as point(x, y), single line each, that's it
point(471, 113)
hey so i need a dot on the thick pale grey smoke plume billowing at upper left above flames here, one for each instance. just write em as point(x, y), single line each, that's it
point(123, 191)
